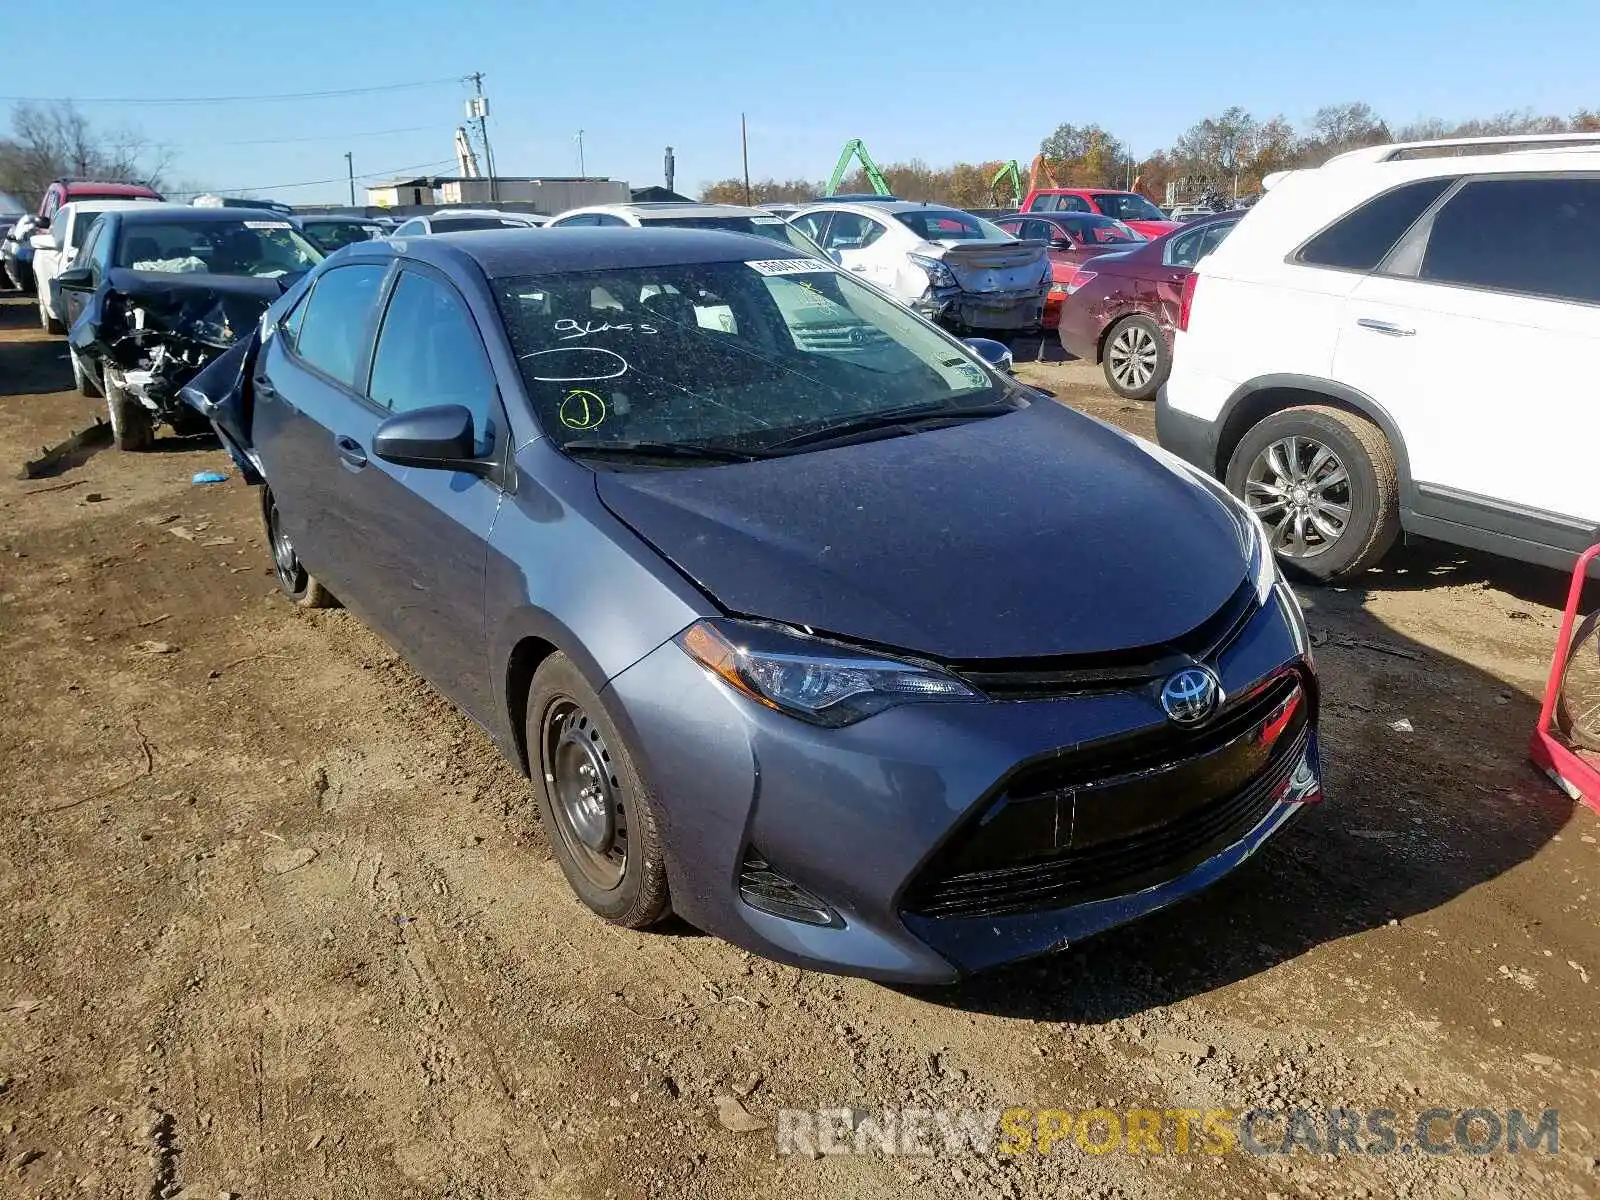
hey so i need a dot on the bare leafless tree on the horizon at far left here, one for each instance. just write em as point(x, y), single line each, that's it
point(50, 142)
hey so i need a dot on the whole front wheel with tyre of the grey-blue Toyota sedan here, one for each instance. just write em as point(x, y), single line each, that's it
point(594, 806)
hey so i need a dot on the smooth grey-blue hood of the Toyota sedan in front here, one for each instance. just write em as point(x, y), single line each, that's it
point(1034, 534)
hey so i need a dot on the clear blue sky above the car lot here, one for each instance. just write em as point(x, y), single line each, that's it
point(937, 79)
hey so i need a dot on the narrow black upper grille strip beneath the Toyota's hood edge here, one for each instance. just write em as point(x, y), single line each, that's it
point(1078, 674)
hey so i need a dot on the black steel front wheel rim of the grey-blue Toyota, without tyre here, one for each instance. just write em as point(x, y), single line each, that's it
point(586, 794)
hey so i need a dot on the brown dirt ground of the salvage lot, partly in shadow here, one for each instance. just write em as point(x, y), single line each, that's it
point(278, 922)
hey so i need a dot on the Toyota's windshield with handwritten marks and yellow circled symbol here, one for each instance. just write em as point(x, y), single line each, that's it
point(727, 356)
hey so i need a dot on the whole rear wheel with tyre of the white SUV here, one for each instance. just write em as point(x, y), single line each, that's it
point(1324, 484)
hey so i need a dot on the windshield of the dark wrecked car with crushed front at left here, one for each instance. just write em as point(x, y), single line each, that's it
point(265, 249)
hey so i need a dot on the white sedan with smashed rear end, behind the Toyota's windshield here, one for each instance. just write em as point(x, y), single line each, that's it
point(946, 265)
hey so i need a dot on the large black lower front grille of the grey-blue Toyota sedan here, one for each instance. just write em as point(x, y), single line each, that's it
point(1119, 817)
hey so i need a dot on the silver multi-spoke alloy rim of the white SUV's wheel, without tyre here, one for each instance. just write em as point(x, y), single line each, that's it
point(1302, 492)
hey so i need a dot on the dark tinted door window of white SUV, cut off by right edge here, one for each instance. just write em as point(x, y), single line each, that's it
point(1529, 236)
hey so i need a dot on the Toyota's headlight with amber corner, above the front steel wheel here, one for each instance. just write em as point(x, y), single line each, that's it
point(806, 678)
